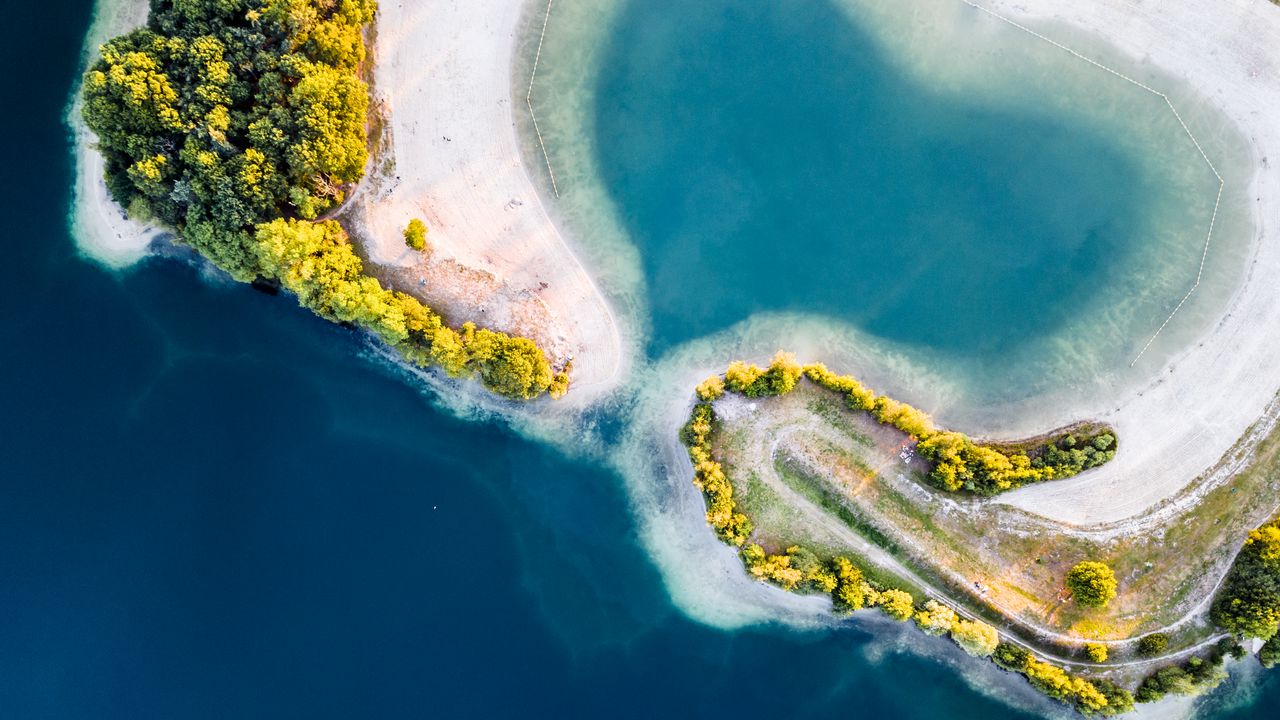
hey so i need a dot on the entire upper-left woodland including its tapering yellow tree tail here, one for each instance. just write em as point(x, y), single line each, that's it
point(239, 124)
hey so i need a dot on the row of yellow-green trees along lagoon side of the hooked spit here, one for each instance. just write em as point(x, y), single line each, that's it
point(958, 463)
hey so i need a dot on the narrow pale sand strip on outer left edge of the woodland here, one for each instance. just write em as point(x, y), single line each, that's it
point(99, 225)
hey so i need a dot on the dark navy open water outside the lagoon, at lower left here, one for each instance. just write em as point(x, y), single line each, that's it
point(213, 507)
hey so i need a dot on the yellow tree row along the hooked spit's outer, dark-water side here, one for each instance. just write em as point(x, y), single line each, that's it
point(799, 569)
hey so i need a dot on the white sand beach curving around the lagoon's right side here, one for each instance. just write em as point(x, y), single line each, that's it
point(1204, 402)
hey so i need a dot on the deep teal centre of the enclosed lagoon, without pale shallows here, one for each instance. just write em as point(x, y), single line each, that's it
point(769, 157)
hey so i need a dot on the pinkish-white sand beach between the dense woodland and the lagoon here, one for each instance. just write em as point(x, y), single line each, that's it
point(444, 70)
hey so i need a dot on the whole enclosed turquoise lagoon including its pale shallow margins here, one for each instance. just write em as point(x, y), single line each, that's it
point(962, 202)
